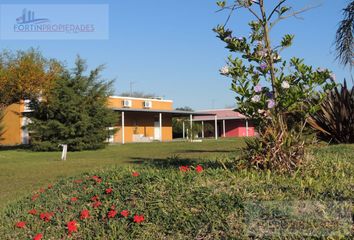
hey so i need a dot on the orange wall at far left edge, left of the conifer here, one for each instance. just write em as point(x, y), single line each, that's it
point(12, 124)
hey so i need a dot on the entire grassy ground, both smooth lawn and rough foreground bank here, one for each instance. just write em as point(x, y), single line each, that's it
point(222, 201)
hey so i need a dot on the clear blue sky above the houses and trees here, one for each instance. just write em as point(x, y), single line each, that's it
point(167, 47)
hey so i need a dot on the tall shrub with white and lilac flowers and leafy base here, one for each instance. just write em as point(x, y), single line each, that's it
point(274, 92)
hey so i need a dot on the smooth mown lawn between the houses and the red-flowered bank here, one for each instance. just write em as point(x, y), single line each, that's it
point(22, 171)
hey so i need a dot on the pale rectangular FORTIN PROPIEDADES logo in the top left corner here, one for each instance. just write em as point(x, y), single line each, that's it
point(46, 21)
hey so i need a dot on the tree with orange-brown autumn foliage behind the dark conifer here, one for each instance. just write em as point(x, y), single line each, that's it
point(25, 74)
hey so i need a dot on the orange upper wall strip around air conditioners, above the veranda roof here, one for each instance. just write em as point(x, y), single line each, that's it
point(138, 103)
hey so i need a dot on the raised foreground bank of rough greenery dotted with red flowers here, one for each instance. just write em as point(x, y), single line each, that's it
point(181, 199)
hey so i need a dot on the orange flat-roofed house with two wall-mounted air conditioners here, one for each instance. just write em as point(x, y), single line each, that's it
point(144, 119)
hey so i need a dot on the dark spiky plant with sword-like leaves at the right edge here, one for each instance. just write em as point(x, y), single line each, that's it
point(334, 121)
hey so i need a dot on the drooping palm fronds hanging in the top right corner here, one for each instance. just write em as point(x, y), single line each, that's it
point(345, 36)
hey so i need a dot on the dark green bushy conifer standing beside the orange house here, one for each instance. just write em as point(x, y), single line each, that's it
point(74, 113)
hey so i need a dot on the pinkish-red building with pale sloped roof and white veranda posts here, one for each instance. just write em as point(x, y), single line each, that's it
point(228, 123)
